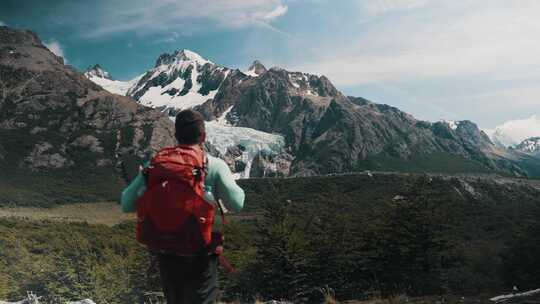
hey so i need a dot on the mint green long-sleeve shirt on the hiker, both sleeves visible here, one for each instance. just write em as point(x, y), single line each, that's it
point(219, 181)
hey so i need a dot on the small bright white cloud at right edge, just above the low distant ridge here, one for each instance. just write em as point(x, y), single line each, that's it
point(515, 131)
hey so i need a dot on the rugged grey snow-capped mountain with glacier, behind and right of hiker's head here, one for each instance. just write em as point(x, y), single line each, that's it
point(274, 122)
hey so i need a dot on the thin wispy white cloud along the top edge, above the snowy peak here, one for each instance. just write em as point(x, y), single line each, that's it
point(145, 17)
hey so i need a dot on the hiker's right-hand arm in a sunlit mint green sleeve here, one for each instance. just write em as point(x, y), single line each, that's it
point(227, 189)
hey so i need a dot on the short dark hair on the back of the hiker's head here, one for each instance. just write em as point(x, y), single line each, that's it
point(189, 127)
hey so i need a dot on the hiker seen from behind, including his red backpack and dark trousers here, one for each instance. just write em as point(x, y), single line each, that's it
point(188, 275)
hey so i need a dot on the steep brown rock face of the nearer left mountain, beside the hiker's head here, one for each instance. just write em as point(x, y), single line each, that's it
point(54, 118)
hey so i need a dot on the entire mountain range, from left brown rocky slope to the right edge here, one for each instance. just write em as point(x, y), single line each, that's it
point(57, 124)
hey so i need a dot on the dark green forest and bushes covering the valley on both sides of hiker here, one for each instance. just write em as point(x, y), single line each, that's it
point(307, 240)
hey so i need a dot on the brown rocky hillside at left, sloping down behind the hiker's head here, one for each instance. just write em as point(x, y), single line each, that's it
point(64, 138)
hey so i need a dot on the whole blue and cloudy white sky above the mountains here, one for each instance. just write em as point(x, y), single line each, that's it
point(436, 59)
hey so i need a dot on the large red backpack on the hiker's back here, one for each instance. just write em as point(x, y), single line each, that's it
point(172, 216)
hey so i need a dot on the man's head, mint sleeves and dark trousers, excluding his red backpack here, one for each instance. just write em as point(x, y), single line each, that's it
point(191, 279)
